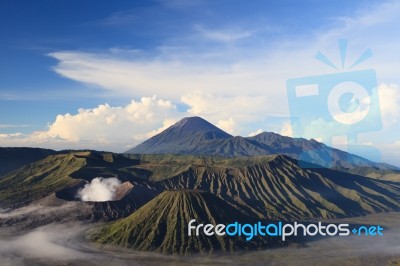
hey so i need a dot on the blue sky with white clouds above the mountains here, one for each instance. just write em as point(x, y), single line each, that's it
point(96, 74)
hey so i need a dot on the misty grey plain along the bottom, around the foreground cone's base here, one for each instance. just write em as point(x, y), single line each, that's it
point(65, 244)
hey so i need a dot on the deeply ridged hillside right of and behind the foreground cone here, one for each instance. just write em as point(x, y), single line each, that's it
point(276, 187)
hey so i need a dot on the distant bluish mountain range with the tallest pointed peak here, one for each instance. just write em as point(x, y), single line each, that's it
point(191, 140)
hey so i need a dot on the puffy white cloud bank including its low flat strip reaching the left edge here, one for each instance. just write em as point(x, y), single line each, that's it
point(104, 127)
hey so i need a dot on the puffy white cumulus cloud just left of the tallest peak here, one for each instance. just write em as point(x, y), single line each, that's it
point(107, 123)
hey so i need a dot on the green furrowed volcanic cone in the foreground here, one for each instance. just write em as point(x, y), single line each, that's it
point(161, 225)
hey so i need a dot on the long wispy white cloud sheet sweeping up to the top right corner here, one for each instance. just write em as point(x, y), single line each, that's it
point(173, 71)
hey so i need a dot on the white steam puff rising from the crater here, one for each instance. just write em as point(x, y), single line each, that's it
point(99, 189)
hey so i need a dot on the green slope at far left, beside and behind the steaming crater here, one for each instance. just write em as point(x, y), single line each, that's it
point(61, 173)
